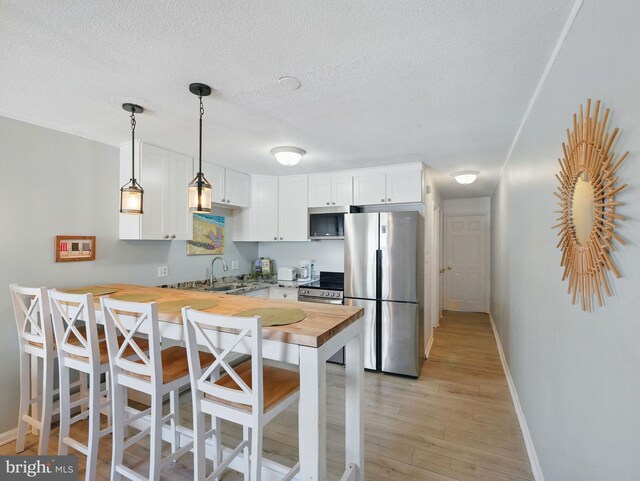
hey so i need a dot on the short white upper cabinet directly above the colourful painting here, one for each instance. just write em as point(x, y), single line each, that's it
point(231, 188)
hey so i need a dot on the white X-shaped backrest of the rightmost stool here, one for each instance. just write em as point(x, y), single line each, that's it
point(205, 330)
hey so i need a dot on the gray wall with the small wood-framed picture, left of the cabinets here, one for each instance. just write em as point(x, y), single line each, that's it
point(56, 184)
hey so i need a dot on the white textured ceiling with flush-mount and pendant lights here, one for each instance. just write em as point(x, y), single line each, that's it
point(444, 82)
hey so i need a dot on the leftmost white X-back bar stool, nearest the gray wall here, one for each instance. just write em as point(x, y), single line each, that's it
point(31, 309)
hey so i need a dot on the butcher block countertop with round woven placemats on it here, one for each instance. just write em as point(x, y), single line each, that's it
point(323, 321)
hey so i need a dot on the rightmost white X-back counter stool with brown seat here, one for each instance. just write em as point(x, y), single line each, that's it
point(250, 394)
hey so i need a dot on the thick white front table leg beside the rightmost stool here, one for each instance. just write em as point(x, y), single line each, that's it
point(312, 416)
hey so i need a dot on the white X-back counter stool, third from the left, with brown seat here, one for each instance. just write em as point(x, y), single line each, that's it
point(160, 372)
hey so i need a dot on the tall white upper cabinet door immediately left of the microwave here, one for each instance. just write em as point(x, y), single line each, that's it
point(293, 218)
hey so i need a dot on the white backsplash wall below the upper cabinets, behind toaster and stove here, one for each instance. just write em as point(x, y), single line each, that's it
point(328, 255)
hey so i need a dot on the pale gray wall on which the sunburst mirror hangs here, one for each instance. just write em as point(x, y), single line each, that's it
point(576, 373)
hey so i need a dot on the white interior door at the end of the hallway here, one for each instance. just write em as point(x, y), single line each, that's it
point(466, 269)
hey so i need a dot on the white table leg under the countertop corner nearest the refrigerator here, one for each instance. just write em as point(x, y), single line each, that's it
point(354, 403)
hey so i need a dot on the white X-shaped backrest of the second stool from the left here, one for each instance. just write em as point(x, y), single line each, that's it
point(67, 312)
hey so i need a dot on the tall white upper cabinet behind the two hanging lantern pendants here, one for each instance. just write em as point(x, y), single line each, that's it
point(164, 176)
